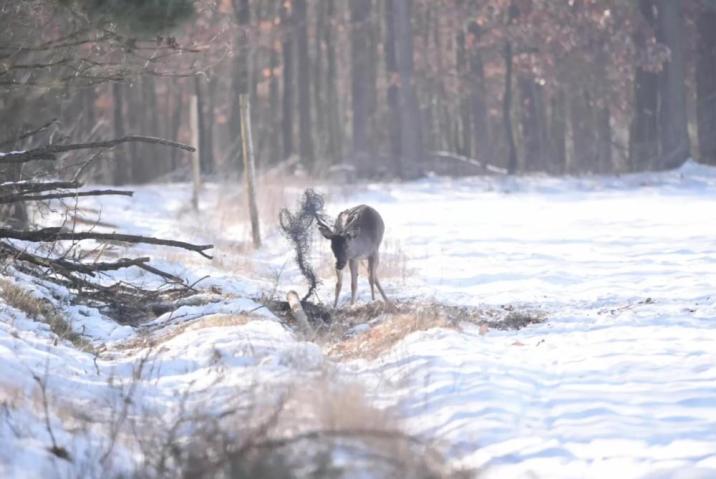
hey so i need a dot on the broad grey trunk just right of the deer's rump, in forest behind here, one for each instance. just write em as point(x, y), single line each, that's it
point(410, 132)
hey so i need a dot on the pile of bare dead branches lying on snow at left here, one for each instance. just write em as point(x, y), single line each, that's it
point(59, 254)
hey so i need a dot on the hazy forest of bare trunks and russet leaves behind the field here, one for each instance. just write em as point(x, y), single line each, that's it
point(370, 88)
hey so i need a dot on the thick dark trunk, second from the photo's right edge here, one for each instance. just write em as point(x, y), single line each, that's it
point(675, 147)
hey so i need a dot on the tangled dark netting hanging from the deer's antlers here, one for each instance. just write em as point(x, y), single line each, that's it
point(297, 228)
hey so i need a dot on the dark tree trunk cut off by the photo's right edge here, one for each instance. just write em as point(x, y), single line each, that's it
point(706, 85)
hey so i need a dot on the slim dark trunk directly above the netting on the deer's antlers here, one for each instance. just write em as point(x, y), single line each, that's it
point(304, 85)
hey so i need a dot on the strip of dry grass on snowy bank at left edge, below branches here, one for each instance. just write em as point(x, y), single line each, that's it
point(41, 310)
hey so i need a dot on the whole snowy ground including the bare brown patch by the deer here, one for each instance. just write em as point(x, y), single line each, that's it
point(610, 370)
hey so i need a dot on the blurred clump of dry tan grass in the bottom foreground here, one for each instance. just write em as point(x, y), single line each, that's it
point(311, 431)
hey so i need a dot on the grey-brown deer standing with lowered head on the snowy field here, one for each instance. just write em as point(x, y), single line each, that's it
point(356, 234)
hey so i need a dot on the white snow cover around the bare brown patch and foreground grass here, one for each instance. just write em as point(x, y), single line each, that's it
point(619, 381)
